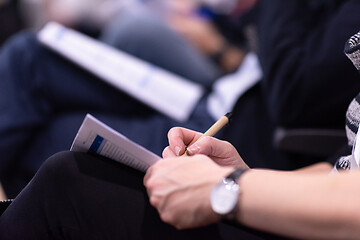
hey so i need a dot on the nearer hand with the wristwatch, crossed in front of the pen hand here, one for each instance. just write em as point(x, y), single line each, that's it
point(180, 189)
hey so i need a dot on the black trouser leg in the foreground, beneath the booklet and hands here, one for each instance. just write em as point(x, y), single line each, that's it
point(81, 196)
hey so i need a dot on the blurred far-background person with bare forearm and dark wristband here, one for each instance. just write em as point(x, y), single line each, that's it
point(216, 28)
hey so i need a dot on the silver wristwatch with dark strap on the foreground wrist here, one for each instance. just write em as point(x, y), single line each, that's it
point(224, 196)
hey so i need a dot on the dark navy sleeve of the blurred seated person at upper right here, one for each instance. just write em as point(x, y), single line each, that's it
point(308, 81)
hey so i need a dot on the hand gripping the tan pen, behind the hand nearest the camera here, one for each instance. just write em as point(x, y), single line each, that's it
point(221, 152)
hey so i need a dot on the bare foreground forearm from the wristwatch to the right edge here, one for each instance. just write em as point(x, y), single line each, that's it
point(301, 206)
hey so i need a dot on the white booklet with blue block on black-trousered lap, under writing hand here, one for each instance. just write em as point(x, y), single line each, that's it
point(96, 137)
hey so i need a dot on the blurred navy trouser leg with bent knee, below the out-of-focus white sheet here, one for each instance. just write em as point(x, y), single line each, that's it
point(36, 85)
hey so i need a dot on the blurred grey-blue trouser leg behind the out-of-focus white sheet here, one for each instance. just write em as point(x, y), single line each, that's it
point(145, 35)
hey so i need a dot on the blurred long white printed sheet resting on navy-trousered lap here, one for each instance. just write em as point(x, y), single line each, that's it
point(162, 90)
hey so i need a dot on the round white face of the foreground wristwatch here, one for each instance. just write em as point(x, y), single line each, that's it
point(224, 196)
